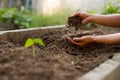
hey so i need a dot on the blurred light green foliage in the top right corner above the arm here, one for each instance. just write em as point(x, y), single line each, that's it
point(110, 8)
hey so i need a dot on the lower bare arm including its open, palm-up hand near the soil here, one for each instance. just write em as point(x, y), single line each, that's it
point(103, 39)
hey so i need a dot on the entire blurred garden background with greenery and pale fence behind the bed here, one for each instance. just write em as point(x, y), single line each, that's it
point(16, 14)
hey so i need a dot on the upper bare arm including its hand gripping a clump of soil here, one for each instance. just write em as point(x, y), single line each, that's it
point(112, 20)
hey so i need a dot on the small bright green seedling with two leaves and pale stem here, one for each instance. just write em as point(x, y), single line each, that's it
point(31, 43)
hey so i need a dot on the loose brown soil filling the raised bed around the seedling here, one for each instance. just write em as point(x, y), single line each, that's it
point(58, 60)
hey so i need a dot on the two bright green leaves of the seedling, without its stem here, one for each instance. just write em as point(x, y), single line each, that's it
point(31, 42)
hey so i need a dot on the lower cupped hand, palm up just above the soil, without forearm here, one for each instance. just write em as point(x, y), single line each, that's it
point(82, 41)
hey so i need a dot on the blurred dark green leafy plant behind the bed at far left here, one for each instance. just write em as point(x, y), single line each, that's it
point(19, 18)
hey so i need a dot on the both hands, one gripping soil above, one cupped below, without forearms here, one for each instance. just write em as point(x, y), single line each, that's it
point(85, 40)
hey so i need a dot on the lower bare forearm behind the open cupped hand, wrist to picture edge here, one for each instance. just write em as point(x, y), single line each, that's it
point(108, 39)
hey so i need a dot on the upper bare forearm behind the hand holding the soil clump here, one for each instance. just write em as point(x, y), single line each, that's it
point(107, 20)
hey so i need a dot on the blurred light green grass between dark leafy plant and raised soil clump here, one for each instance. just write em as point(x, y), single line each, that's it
point(58, 18)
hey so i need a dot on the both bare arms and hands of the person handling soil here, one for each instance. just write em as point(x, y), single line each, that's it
point(108, 20)
